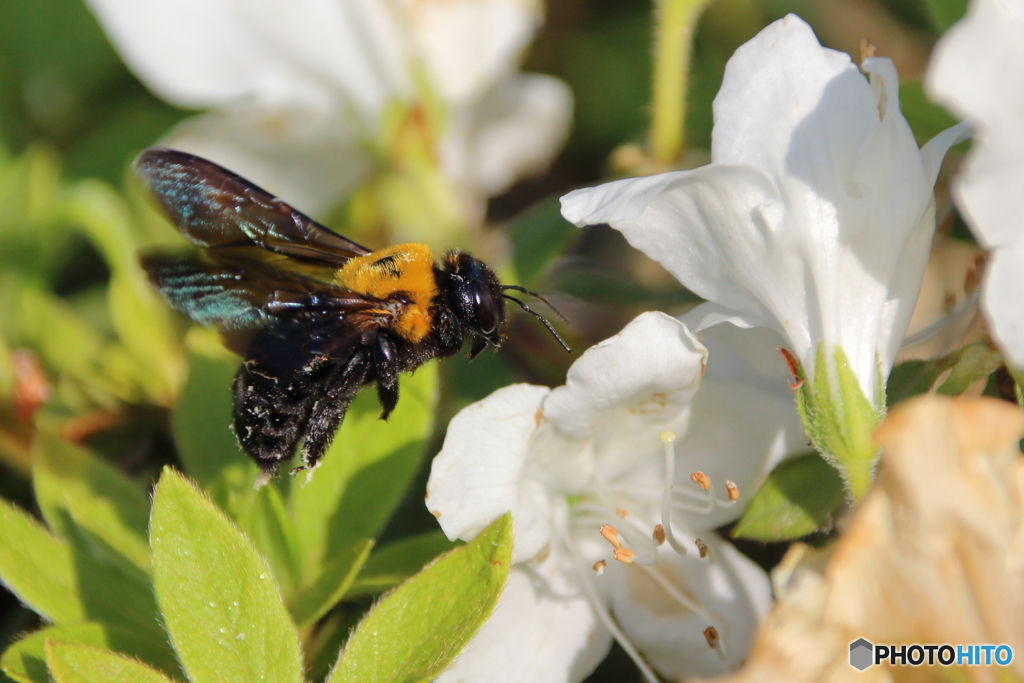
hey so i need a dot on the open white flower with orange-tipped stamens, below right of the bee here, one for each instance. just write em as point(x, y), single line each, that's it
point(572, 460)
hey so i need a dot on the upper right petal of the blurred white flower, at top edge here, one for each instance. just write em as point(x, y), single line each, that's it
point(470, 45)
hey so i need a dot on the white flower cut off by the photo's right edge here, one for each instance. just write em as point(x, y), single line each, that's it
point(977, 71)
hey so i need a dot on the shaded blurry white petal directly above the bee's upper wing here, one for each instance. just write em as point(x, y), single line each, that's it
point(304, 155)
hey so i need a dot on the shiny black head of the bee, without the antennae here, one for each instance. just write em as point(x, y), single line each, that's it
point(476, 298)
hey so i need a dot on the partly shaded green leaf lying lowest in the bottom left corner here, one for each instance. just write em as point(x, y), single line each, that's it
point(25, 660)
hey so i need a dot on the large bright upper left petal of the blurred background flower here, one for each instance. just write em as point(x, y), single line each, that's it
point(202, 54)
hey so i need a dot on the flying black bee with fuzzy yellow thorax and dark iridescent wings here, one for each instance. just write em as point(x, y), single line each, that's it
point(316, 316)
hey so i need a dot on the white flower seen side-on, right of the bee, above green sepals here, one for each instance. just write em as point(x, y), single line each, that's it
point(816, 216)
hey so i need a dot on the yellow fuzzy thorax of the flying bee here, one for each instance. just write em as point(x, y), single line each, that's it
point(408, 269)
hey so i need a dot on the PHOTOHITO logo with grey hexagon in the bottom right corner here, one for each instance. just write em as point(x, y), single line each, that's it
point(864, 655)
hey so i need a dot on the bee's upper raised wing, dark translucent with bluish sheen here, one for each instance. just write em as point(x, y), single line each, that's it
point(216, 208)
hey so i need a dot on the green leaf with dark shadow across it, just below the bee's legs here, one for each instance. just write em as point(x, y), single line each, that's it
point(365, 474)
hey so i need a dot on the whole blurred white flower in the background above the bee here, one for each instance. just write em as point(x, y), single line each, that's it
point(301, 92)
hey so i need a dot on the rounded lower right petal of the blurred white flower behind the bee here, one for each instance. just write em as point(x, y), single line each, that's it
point(514, 132)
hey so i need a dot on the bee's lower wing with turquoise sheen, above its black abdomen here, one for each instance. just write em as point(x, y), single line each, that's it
point(243, 298)
